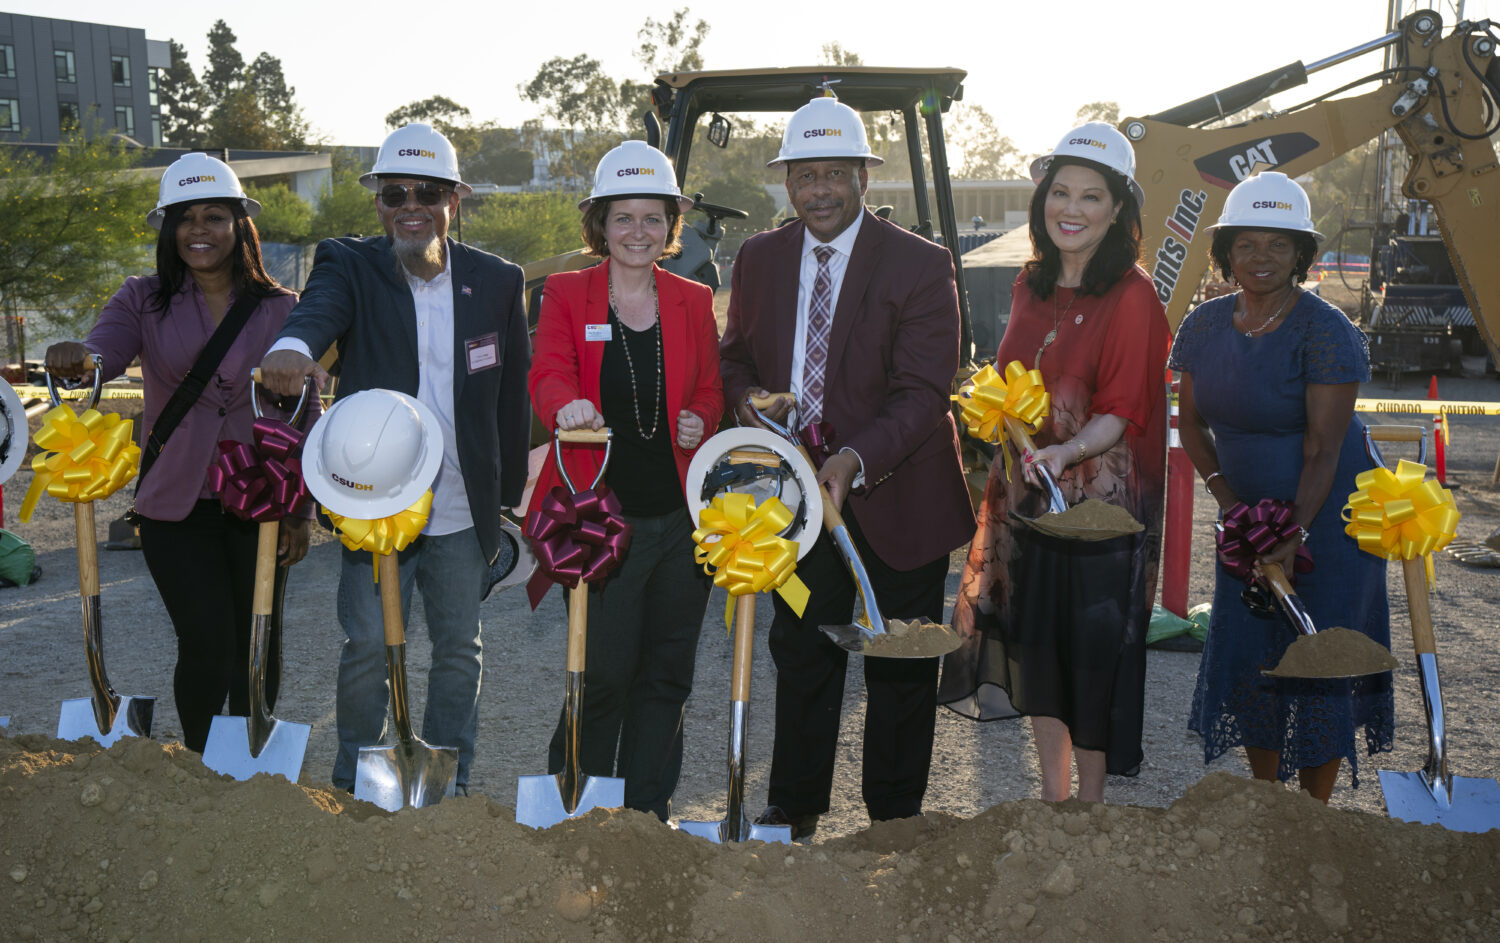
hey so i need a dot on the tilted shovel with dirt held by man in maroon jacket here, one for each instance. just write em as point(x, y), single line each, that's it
point(871, 633)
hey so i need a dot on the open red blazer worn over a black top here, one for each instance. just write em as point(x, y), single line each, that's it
point(565, 367)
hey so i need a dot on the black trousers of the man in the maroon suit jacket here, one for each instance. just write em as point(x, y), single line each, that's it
point(901, 693)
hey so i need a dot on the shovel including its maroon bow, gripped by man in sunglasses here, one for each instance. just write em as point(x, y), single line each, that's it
point(242, 747)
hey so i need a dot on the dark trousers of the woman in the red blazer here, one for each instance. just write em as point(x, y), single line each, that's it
point(644, 623)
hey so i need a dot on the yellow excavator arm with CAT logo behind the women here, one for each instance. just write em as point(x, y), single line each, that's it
point(1442, 101)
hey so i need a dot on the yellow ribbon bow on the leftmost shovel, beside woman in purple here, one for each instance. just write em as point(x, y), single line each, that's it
point(86, 458)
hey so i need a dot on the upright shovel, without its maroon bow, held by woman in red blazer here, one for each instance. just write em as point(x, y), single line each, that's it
point(548, 800)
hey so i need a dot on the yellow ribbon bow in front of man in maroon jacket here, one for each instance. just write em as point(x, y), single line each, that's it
point(737, 545)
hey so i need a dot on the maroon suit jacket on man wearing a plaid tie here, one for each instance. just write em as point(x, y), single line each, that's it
point(892, 361)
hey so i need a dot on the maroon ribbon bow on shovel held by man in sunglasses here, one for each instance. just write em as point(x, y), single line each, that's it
point(262, 482)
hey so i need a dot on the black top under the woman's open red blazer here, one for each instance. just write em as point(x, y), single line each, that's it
point(643, 471)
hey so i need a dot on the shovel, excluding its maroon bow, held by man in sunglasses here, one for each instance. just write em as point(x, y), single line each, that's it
point(242, 747)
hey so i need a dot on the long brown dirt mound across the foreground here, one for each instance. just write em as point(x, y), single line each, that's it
point(143, 843)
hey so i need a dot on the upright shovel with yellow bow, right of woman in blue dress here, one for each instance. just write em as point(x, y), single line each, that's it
point(1405, 516)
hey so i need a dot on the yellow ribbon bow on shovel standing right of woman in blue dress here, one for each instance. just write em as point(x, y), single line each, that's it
point(1402, 515)
